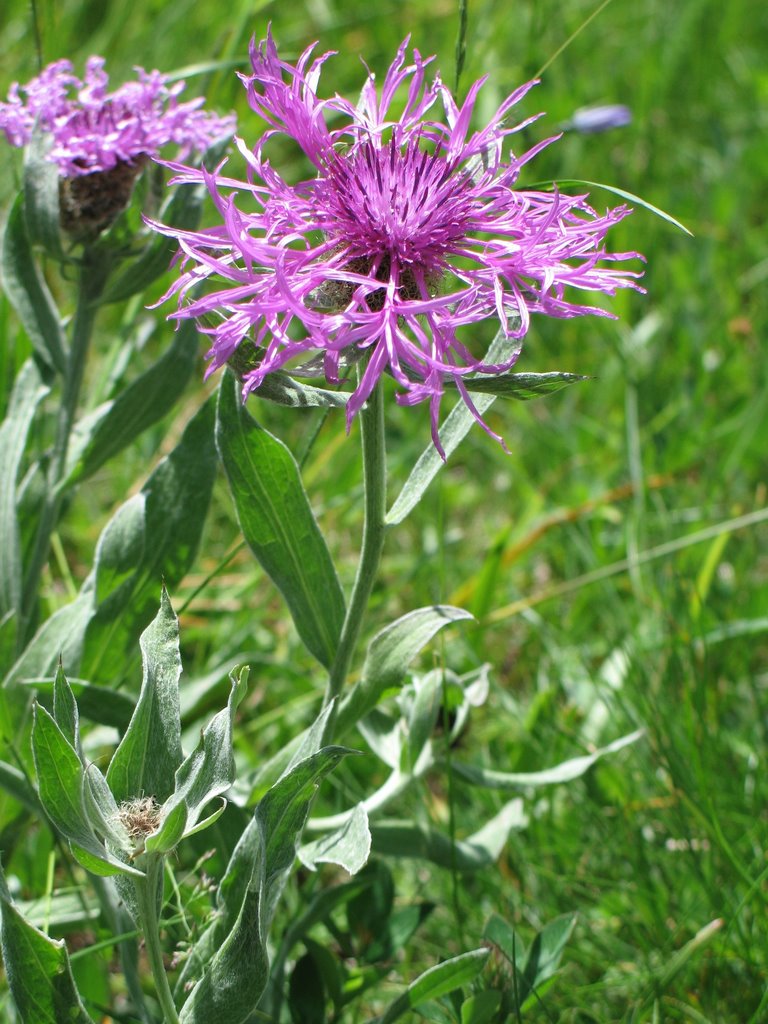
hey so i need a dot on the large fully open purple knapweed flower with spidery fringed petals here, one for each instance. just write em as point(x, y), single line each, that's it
point(409, 231)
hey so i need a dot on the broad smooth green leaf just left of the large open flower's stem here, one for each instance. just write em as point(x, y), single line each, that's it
point(279, 525)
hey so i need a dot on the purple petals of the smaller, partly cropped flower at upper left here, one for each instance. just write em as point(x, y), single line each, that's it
point(94, 131)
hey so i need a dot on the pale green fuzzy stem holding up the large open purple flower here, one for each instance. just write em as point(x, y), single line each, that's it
point(375, 484)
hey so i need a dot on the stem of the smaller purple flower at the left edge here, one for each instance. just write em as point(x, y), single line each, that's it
point(94, 273)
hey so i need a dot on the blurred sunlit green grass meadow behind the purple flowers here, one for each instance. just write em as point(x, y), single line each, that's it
point(591, 630)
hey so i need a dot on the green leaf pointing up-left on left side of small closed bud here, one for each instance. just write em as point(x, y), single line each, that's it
point(61, 785)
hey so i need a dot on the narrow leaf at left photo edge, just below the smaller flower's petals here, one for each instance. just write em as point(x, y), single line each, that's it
point(29, 294)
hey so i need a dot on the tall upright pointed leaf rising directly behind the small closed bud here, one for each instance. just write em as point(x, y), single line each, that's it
point(150, 753)
